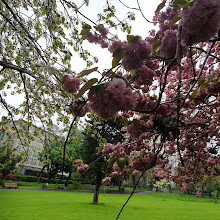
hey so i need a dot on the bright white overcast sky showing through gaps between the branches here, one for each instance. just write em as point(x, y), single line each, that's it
point(139, 27)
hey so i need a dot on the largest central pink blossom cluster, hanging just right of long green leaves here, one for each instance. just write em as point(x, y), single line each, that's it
point(114, 97)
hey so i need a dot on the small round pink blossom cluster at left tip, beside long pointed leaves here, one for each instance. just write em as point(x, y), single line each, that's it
point(70, 84)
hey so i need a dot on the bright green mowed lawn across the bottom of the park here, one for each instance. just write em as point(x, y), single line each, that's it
point(47, 205)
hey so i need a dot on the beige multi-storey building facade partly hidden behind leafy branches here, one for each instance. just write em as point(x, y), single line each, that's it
point(30, 144)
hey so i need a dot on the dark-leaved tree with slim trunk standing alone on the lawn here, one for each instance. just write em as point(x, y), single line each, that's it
point(97, 133)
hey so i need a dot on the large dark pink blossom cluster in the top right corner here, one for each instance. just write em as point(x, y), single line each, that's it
point(200, 22)
